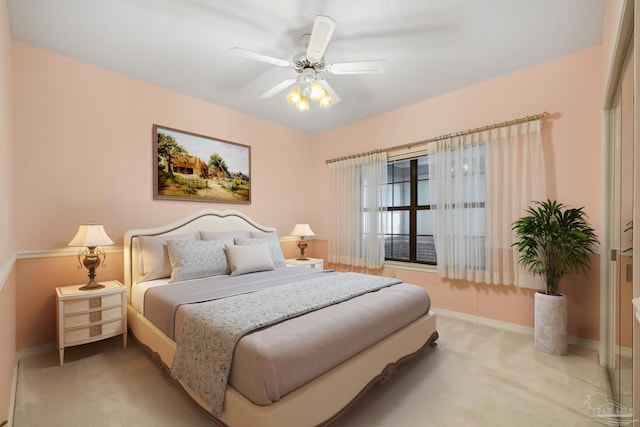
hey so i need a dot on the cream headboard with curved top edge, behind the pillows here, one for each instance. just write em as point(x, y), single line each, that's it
point(204, 220)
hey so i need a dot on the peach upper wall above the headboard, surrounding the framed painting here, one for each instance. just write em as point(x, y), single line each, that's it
point(84, 150)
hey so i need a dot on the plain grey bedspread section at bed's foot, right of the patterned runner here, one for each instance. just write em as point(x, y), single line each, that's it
point(270, 363)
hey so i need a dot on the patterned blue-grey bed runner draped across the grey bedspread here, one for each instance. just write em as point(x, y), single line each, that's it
point(211, 329)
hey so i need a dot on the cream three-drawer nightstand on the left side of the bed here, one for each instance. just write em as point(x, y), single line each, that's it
point(87, 316)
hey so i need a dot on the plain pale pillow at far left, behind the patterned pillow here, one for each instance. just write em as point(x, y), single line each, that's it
point(154, 258)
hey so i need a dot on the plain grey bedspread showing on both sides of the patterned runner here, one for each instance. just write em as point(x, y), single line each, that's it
point(271, 362)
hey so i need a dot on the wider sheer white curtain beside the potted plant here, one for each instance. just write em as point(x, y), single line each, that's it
point(503, 167)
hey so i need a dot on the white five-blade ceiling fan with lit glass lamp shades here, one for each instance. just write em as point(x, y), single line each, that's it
point(310, 66)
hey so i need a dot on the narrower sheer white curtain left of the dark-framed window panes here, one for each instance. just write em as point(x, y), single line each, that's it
point(358, 189)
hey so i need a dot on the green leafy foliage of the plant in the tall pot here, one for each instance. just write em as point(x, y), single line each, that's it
point(554, 240)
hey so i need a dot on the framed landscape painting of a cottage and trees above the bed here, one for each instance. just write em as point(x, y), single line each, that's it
point(198, 168)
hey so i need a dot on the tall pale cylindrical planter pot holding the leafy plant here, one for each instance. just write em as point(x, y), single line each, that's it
point(551, 323)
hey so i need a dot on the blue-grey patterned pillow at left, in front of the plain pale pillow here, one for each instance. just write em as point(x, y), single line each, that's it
point(197, 258)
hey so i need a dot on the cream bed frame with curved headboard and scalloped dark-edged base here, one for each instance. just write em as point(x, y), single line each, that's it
point(319, 402)
